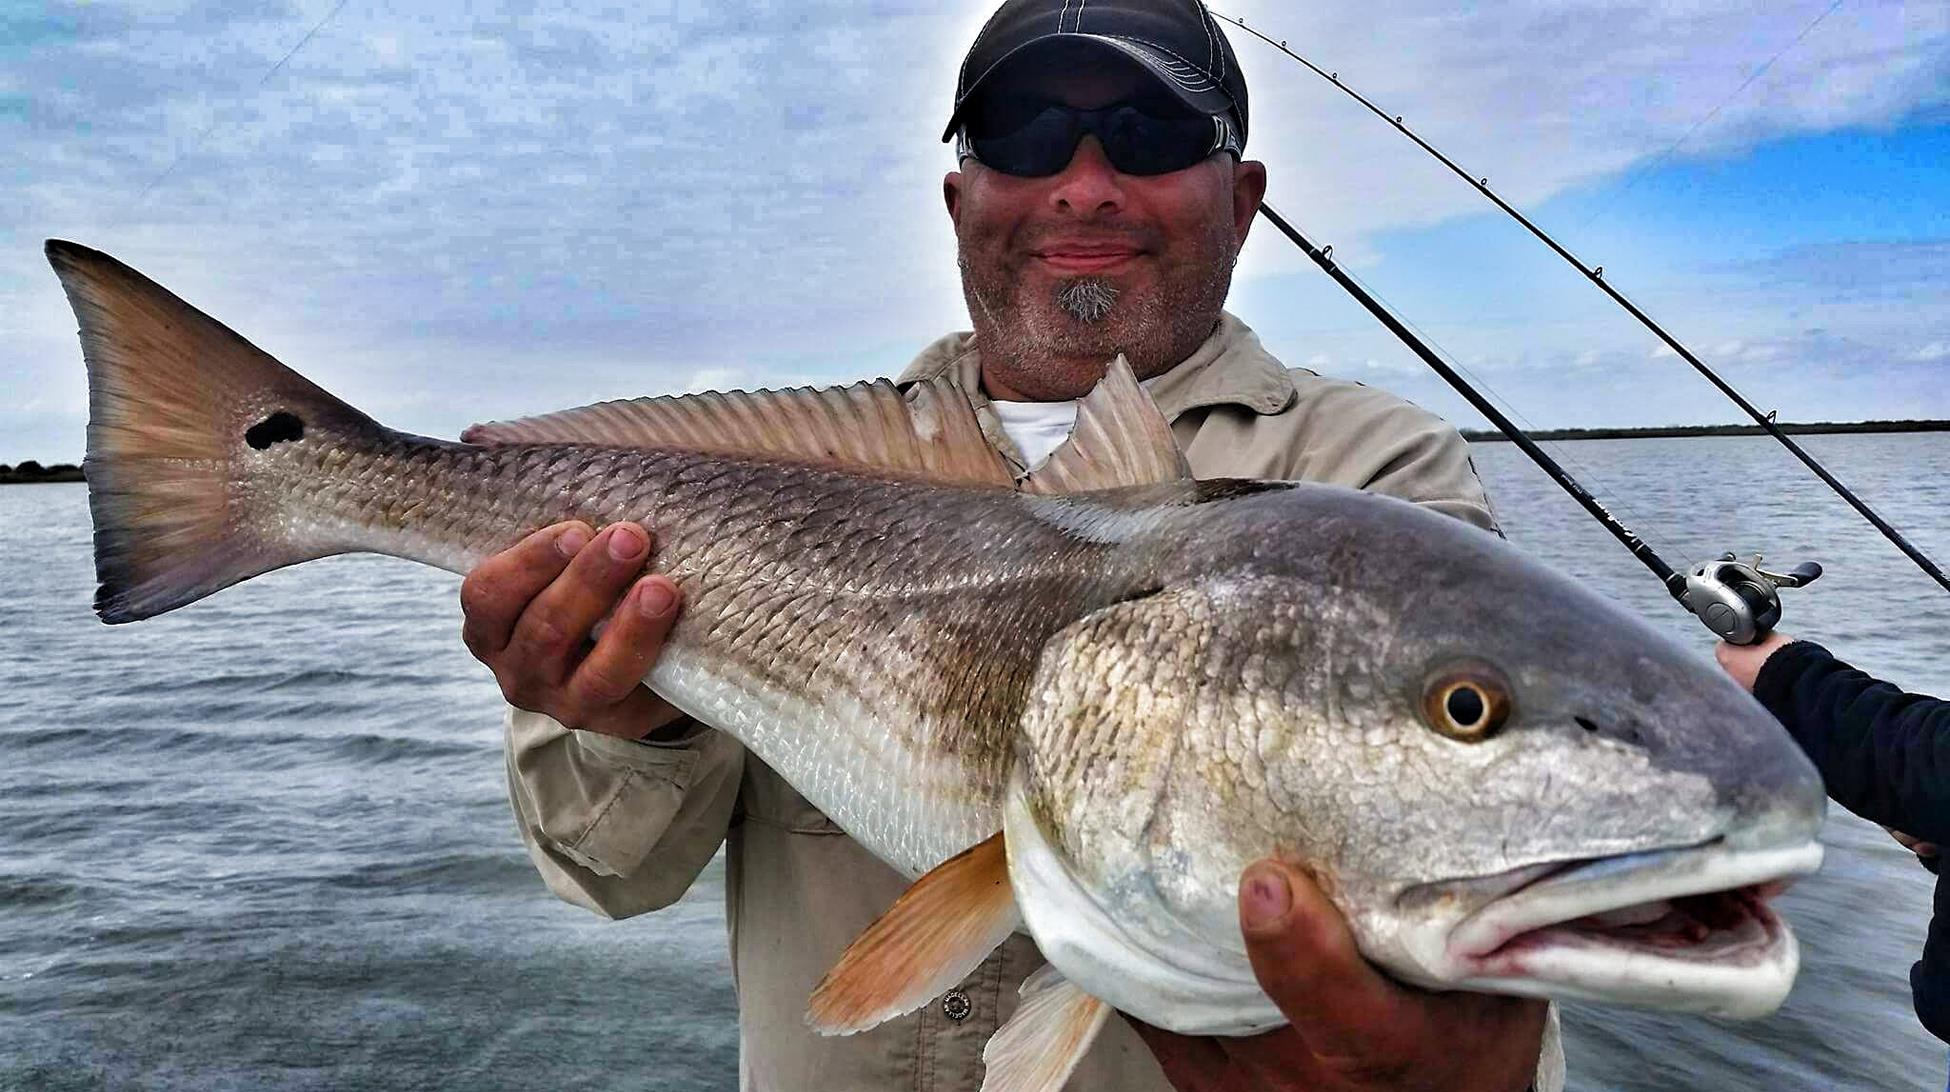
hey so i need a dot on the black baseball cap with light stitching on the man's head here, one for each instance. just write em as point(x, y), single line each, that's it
point(1177, 42)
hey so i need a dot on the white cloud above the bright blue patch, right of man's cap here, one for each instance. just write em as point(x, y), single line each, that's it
point(1543, 97)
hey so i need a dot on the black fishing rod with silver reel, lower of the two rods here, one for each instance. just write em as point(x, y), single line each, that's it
point(1736, 600)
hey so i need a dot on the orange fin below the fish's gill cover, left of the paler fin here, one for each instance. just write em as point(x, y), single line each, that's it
point(931, 939)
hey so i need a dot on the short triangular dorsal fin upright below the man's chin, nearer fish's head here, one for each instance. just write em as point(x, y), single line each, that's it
point(1120, 440)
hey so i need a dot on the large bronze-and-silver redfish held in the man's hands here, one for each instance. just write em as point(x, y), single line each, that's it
point(1077, 707)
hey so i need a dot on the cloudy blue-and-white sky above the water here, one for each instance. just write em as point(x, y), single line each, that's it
point(469, 212)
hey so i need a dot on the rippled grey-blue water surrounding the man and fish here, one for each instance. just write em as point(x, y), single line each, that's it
point(264, 843)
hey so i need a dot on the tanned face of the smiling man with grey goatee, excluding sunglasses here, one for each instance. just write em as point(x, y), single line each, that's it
point(1066, 272)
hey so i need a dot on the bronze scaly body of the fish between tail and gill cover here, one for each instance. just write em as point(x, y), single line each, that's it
point(925, 615)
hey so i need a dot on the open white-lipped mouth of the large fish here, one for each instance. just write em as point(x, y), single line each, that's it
point(1680, 929)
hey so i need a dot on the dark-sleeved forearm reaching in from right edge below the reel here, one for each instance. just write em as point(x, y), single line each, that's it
point(1883, 754)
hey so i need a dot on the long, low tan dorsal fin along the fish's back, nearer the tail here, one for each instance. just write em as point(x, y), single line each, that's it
point(931, 436)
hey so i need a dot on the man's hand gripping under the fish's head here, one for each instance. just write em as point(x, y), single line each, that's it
point(1352, 1031)
